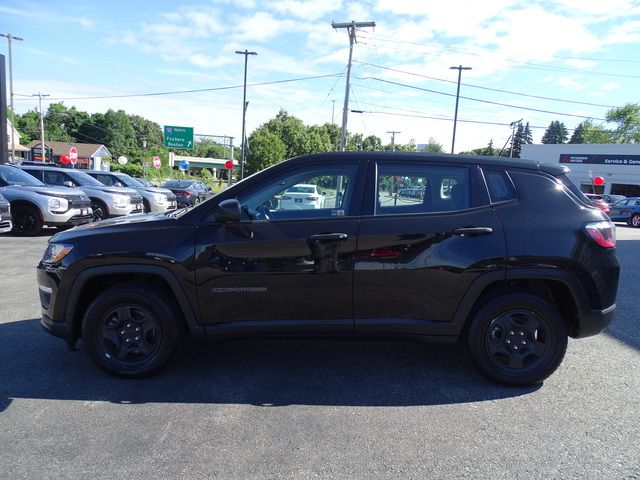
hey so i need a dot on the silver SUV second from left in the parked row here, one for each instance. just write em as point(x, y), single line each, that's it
point(105, 201)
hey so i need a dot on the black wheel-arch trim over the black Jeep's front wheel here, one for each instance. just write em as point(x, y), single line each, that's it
point(92, 281)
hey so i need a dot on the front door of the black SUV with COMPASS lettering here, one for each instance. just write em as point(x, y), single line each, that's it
point(282, 269)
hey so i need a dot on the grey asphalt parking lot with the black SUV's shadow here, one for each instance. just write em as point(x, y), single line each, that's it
point(310, 408)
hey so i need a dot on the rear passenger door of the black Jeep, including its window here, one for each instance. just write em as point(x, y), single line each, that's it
point(418, 256)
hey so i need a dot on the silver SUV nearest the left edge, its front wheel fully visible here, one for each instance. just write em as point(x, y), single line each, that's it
point(34, 205)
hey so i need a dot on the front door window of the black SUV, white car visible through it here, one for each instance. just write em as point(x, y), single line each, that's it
point(309, 192)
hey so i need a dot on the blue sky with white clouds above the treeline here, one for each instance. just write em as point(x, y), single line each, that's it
point(581, 51)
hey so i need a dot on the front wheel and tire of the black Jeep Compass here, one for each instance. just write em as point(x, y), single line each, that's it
point(131, 331)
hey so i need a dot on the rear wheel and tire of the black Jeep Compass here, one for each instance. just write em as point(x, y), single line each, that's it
point(516, 339)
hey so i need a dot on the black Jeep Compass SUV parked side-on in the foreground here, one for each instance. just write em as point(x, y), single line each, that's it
point(506, 256)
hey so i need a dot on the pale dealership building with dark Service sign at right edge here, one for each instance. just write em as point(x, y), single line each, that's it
point(618, 164)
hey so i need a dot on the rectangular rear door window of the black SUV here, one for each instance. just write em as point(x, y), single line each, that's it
point(407, 188)
